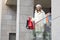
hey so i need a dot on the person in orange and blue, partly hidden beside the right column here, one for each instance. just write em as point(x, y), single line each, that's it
point(48, 26)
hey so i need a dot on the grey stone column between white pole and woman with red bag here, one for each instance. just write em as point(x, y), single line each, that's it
point(25, 10)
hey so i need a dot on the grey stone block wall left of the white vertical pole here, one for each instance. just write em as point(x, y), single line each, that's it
point(8, 23)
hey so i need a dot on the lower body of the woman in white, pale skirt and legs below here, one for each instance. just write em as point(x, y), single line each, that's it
point(39, 30)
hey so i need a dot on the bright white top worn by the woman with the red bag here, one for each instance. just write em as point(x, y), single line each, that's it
point(39, 16)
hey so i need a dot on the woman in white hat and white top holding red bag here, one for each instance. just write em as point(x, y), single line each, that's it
point(39, 22)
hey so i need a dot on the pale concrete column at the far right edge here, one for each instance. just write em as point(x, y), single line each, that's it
point(55, 20)
